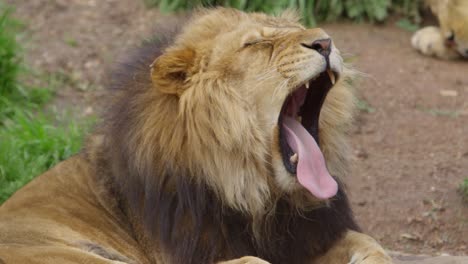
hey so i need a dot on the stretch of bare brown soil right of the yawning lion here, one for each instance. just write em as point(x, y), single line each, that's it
point(412, 151)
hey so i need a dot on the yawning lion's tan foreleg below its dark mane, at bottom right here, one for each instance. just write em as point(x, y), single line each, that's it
point(355, 248)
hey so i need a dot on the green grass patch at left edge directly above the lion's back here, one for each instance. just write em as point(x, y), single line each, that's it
point(32, 143)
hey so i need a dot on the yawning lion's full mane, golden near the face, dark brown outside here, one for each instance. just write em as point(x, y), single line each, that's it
point(163, 158)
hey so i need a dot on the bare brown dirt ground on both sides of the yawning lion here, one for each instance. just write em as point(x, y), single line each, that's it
point(410, 139)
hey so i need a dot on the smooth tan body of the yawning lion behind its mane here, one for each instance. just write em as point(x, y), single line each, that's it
point(66, 216)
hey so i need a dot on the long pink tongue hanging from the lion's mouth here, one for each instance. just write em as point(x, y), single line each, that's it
point(311, 170)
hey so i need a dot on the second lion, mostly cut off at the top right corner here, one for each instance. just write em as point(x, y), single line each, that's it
point(450, 40)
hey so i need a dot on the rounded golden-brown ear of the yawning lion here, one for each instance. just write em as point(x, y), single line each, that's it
point(170, 70)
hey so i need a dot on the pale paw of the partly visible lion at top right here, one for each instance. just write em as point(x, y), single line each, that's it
point(429, 41)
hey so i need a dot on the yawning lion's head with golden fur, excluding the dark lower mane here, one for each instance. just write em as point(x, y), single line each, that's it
point(244, 103)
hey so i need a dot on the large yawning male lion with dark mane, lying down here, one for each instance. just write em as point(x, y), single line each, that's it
point(211, 151)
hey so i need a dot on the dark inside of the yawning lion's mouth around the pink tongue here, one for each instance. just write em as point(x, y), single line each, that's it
point(304, 104)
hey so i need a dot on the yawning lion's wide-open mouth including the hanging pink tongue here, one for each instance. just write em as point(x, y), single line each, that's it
point(299, 135)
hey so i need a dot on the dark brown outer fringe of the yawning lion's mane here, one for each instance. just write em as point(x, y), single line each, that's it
point(170, 210)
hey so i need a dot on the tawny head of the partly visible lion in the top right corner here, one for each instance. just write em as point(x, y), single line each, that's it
point(453, 19)
